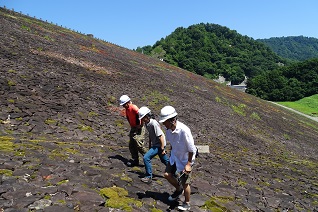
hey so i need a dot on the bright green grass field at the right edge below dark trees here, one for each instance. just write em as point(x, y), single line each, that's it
point(307, 105)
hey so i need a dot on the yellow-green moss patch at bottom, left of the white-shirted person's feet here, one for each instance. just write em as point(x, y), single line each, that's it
point(116, 197)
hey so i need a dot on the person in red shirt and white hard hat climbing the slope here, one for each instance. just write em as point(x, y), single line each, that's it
point(137, 131)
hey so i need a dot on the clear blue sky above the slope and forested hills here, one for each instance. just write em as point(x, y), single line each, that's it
point(133, 23)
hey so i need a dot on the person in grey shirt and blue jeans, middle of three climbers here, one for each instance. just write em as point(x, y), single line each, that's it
point(157, 142)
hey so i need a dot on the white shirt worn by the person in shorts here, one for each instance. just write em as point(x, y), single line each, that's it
point(182, 143)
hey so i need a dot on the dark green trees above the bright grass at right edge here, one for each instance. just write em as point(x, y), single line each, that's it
point(288, 83)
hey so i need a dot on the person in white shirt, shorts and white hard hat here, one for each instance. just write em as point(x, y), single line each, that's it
point(182, 156)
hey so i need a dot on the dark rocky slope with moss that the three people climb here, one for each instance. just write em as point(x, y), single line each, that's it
point(66, 140)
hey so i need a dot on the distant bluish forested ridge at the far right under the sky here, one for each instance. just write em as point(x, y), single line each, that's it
point(296, 48)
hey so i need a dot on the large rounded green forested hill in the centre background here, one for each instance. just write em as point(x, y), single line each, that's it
point(211, 50)
